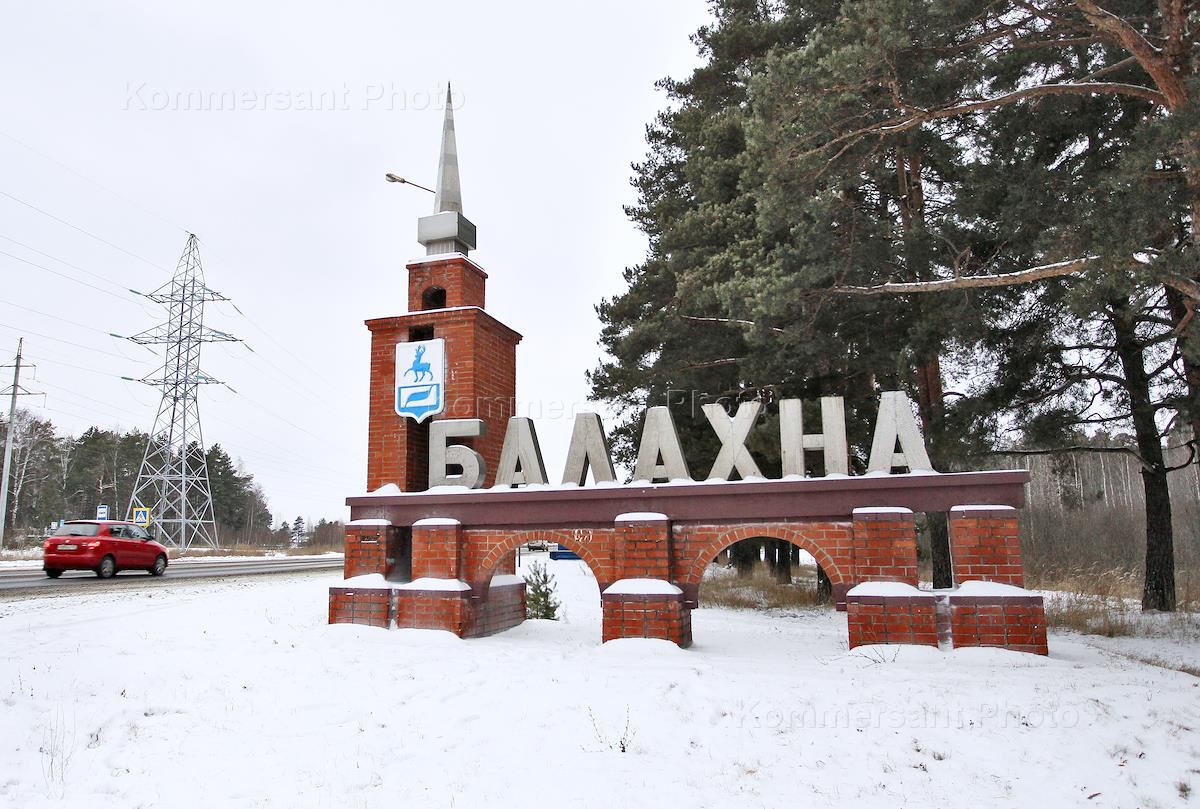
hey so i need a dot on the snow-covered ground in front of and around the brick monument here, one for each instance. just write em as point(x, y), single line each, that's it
point(238, 694)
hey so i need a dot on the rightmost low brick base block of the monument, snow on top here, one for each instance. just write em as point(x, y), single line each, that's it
point(1009, 622)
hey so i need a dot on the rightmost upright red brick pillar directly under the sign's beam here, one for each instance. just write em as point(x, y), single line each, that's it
point(986, 546)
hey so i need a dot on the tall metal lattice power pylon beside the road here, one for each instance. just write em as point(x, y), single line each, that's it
point(173, 482)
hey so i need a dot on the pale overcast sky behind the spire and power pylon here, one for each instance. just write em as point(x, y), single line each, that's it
point(139, 122)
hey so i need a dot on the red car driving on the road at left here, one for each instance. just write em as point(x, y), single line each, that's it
point(105, 547)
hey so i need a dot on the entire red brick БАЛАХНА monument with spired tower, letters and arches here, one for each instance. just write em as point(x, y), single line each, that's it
point(457, 483)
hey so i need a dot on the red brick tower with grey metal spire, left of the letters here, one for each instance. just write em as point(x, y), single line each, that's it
point(446, 299)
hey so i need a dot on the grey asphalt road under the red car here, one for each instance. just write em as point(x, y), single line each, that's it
point(17, 580)
